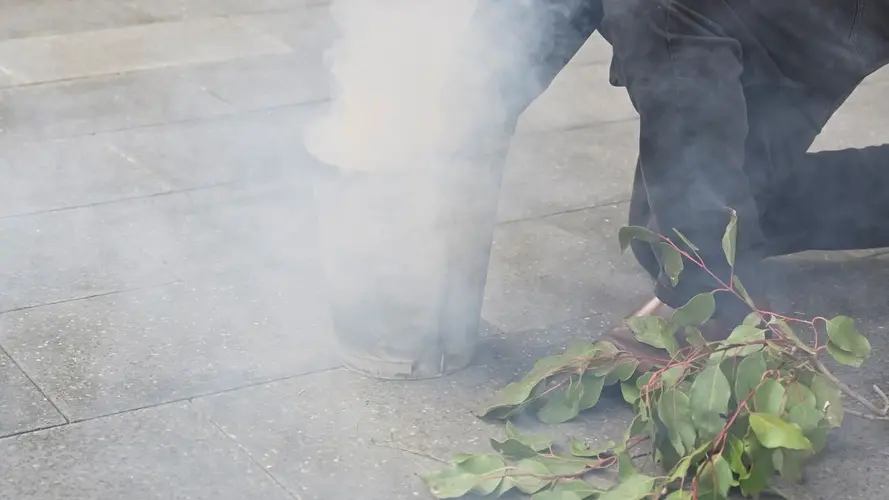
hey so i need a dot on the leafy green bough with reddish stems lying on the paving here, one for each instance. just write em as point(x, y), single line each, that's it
point(715, 416)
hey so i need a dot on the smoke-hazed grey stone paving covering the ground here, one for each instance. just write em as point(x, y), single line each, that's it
point(161, 331)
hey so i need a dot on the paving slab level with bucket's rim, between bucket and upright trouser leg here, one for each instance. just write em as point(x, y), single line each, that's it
point(557, 171)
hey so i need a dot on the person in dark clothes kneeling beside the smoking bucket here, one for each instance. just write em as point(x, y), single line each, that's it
point(730, 96)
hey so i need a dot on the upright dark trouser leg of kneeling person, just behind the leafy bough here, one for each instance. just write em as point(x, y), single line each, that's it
point(683, 75)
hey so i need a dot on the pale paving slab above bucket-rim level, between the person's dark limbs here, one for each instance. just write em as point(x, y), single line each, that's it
point(579, 96)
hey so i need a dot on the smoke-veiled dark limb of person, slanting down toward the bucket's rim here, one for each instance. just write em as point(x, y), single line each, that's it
point(512, 51)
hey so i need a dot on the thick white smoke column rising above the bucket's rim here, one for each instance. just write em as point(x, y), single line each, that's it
point(393, 68)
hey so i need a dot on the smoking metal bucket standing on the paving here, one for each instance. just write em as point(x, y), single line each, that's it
point(405, 255)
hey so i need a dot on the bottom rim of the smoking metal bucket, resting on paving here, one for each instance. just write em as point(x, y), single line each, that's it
point(393, 369)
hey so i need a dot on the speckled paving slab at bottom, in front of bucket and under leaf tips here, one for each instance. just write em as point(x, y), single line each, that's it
point(341, 435)
